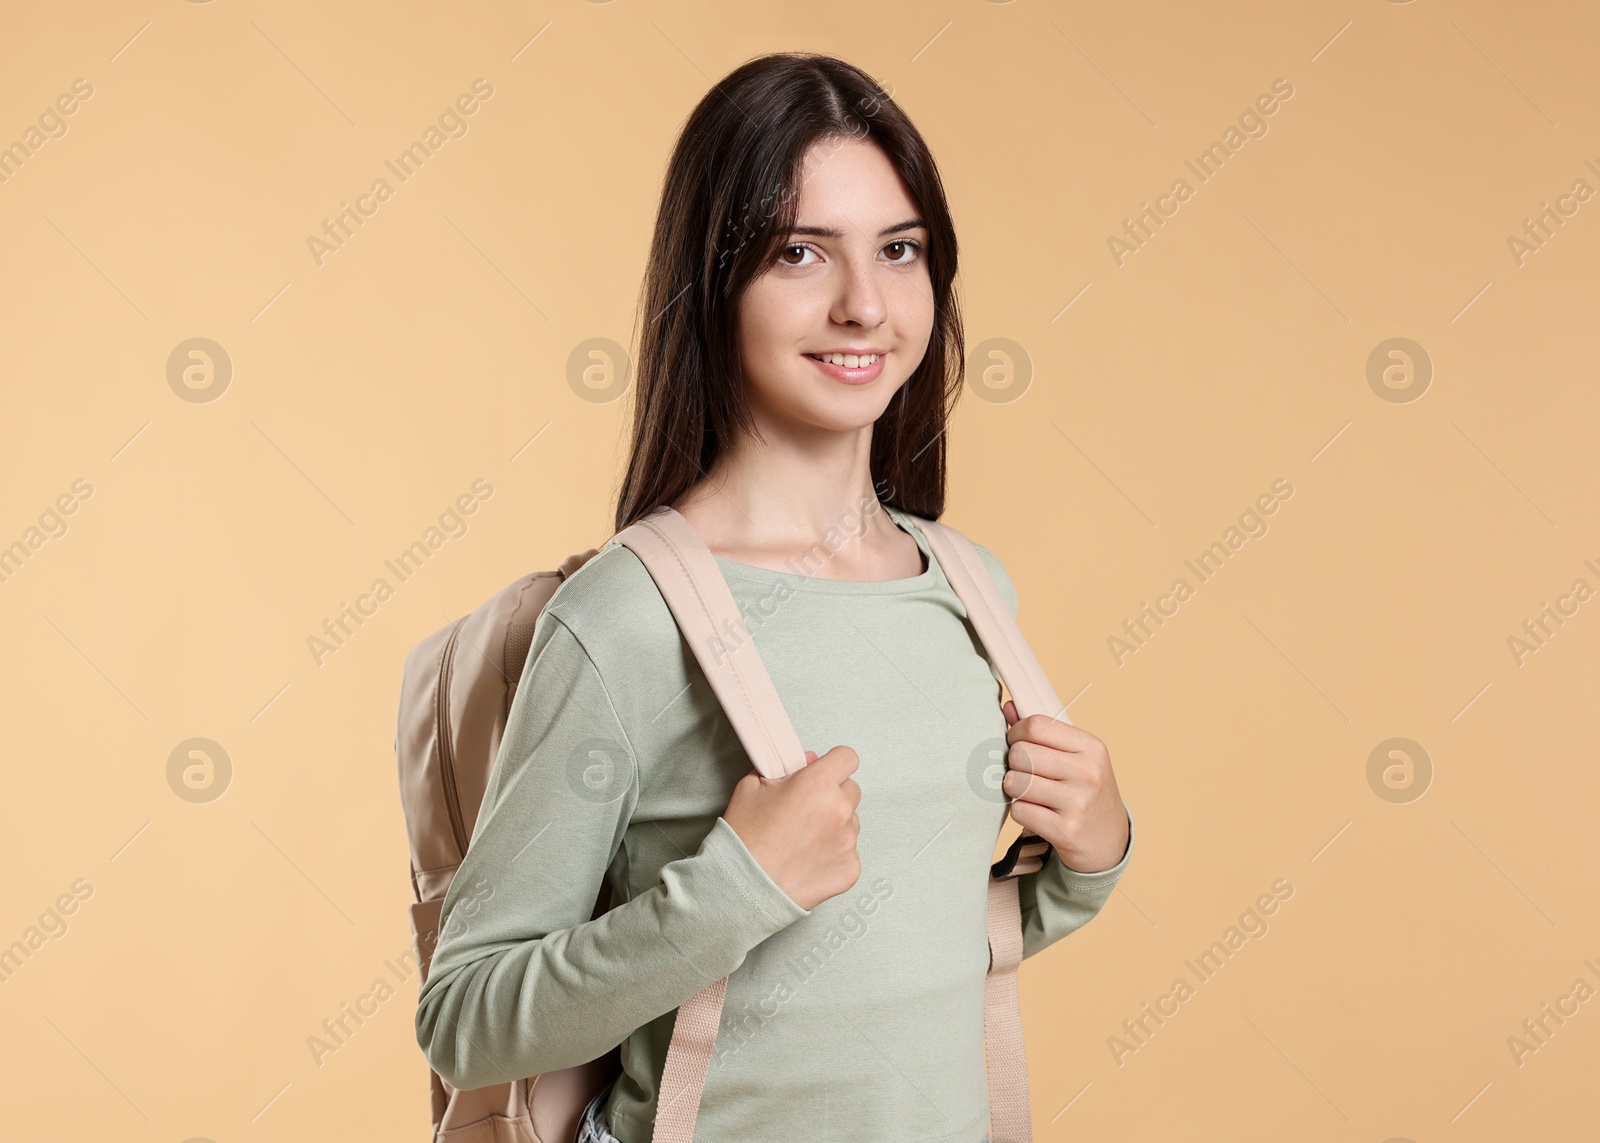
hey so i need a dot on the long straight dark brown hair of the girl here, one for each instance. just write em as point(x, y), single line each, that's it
point(727, 206)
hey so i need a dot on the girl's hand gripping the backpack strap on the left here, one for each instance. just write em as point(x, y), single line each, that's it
point(802, 828)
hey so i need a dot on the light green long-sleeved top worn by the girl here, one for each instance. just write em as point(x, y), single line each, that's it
point(860, 1019)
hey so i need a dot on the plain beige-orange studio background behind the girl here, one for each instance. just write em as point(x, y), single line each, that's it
point(1166, 396)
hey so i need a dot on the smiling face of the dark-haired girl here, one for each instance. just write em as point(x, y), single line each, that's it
point(854, 279)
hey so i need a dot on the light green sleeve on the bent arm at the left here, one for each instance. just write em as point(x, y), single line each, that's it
point(522, 981)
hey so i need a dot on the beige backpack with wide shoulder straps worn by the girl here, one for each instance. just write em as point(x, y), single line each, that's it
point(455, 697)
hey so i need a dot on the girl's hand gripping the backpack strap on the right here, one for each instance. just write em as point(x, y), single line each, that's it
point(1063, 790)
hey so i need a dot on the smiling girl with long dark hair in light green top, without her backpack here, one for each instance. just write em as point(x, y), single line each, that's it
point(799, 359)
